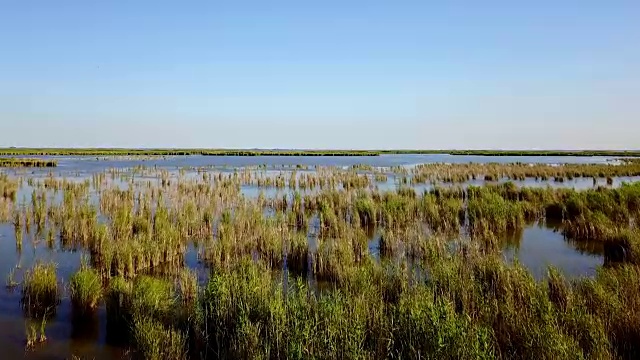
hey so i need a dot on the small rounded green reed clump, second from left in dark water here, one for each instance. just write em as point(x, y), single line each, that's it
point(85, 288)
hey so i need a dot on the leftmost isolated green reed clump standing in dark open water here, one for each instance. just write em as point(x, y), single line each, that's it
point(40, 291)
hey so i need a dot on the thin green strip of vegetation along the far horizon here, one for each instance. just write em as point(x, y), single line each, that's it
point(300, 152)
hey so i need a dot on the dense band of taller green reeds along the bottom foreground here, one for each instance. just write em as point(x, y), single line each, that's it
point(470, 308)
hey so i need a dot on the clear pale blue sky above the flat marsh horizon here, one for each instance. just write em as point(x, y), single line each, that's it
point(320, 74)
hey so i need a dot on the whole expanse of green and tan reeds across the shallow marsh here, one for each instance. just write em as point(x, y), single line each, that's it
point(345, 271)
